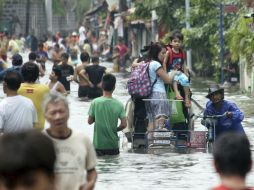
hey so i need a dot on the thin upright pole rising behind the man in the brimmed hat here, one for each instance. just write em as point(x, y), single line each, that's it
point(221, 41)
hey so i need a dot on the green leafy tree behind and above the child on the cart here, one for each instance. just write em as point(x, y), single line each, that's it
point(203, 37)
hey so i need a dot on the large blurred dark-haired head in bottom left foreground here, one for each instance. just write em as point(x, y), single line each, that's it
point(27, 161)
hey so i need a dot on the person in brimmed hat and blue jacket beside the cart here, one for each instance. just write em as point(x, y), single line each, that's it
point(233, 117)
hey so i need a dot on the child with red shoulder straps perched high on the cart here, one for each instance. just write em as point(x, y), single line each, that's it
point(175, 60)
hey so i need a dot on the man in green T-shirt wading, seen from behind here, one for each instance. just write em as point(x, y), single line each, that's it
point(105, 112)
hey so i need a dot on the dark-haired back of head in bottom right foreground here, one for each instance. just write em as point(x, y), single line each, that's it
point(232, 155)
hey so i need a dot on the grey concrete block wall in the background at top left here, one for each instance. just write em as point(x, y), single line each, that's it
point(14, 19)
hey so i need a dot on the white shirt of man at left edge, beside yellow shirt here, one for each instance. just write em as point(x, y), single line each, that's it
point(17, 113)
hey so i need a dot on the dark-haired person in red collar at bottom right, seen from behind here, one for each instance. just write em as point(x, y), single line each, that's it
point(232, 161)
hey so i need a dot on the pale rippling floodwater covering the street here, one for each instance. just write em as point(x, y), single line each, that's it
point(139, 171)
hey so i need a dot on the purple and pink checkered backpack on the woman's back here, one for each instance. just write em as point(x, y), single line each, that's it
point(139, 84)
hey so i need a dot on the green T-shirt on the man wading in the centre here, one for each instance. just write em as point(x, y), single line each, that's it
point(106, 112)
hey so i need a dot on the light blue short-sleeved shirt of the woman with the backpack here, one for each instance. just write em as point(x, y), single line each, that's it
point(159, 85)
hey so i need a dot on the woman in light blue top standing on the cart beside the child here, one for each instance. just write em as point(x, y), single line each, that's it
point(157, 103)
